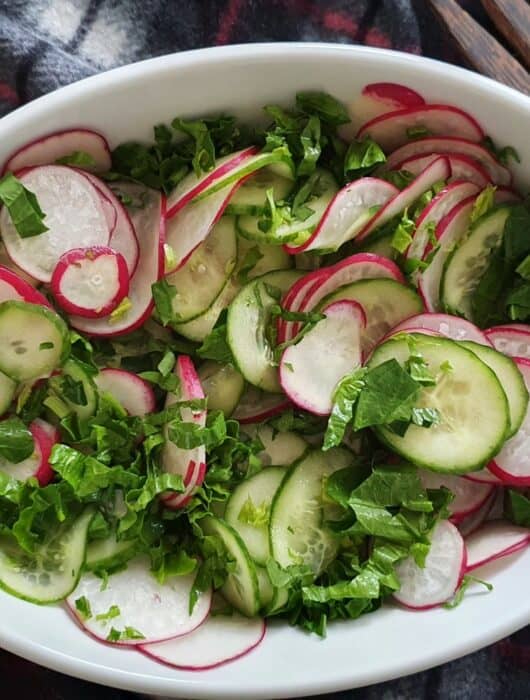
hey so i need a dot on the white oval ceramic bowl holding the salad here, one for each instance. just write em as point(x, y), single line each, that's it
point(124, 104)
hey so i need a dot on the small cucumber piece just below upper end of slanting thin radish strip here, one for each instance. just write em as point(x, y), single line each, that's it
point(251, 197)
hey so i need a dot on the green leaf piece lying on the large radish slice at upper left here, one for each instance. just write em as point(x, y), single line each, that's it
point(23, 207)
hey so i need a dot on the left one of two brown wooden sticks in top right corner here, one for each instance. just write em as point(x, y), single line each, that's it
point(478, 48)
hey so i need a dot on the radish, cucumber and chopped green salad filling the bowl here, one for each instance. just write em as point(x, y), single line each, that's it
point(252, 373)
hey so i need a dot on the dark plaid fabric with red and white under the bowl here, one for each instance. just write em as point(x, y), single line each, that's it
point(47, 43)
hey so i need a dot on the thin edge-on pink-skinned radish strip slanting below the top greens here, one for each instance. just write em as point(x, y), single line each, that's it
point(192, 186)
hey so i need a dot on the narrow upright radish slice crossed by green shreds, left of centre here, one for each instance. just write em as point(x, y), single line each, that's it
point(176, 460)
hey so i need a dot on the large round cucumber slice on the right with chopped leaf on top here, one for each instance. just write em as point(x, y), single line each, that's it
point(467, 394)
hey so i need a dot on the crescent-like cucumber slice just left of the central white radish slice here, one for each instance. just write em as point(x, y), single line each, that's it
point(247, 322)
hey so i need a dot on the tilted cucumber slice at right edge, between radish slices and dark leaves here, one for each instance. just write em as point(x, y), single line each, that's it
point(466, 265)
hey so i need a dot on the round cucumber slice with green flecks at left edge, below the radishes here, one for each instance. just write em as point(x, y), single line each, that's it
point(34, 340)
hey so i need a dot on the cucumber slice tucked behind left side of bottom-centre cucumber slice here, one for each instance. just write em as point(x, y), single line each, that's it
point(257, 492)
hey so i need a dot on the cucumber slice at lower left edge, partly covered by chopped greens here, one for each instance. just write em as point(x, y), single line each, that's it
point(53, 572)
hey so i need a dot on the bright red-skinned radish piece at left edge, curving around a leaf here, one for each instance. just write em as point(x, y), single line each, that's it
point(37, 464)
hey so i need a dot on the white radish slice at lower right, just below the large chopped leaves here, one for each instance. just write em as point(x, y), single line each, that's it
point(439, 579)
